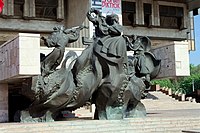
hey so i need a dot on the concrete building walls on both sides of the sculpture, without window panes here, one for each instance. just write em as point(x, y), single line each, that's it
point(74, 14)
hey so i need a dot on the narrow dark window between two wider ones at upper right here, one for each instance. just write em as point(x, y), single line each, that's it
point(147, 14)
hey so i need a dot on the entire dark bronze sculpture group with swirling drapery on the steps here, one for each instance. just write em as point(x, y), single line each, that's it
point(103, 73)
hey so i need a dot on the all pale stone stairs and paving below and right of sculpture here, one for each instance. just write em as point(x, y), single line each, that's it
point(164, 115)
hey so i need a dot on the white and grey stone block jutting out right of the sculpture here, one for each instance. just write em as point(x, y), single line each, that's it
point(174, 59)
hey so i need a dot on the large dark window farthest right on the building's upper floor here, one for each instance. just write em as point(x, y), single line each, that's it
point(171, 17)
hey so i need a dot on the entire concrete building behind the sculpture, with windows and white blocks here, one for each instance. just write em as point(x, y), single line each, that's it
point(168, 23)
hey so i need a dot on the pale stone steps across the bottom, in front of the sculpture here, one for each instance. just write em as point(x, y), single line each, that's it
point(89, 126)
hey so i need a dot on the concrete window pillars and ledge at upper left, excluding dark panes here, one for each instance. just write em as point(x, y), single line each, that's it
point(28, 21)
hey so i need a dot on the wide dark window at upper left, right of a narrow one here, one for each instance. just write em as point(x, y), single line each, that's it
point(46, 8)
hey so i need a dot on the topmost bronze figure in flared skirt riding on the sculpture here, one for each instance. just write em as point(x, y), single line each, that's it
point(109, 42)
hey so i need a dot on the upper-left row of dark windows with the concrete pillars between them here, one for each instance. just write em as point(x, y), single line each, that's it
point(34, 9)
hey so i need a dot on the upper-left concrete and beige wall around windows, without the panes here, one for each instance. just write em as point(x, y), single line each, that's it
point(69, 13)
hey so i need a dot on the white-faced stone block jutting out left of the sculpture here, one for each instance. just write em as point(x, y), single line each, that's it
point(18, 54)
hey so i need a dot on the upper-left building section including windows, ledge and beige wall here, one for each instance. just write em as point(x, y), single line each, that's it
point(40, 16)
